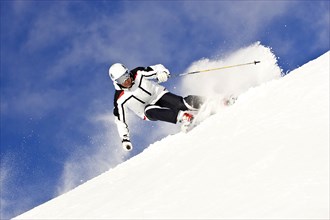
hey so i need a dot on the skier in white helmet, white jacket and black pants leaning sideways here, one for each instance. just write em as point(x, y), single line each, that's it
point(136, 90)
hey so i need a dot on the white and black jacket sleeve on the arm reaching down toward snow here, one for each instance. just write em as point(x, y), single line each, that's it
point(119, 112)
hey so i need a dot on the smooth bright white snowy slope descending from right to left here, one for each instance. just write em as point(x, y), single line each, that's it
point(267, 156)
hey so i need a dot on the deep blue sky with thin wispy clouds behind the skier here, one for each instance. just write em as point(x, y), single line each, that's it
point(55, 90)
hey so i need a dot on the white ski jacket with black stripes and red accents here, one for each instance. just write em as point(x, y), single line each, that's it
point(143, 92)
